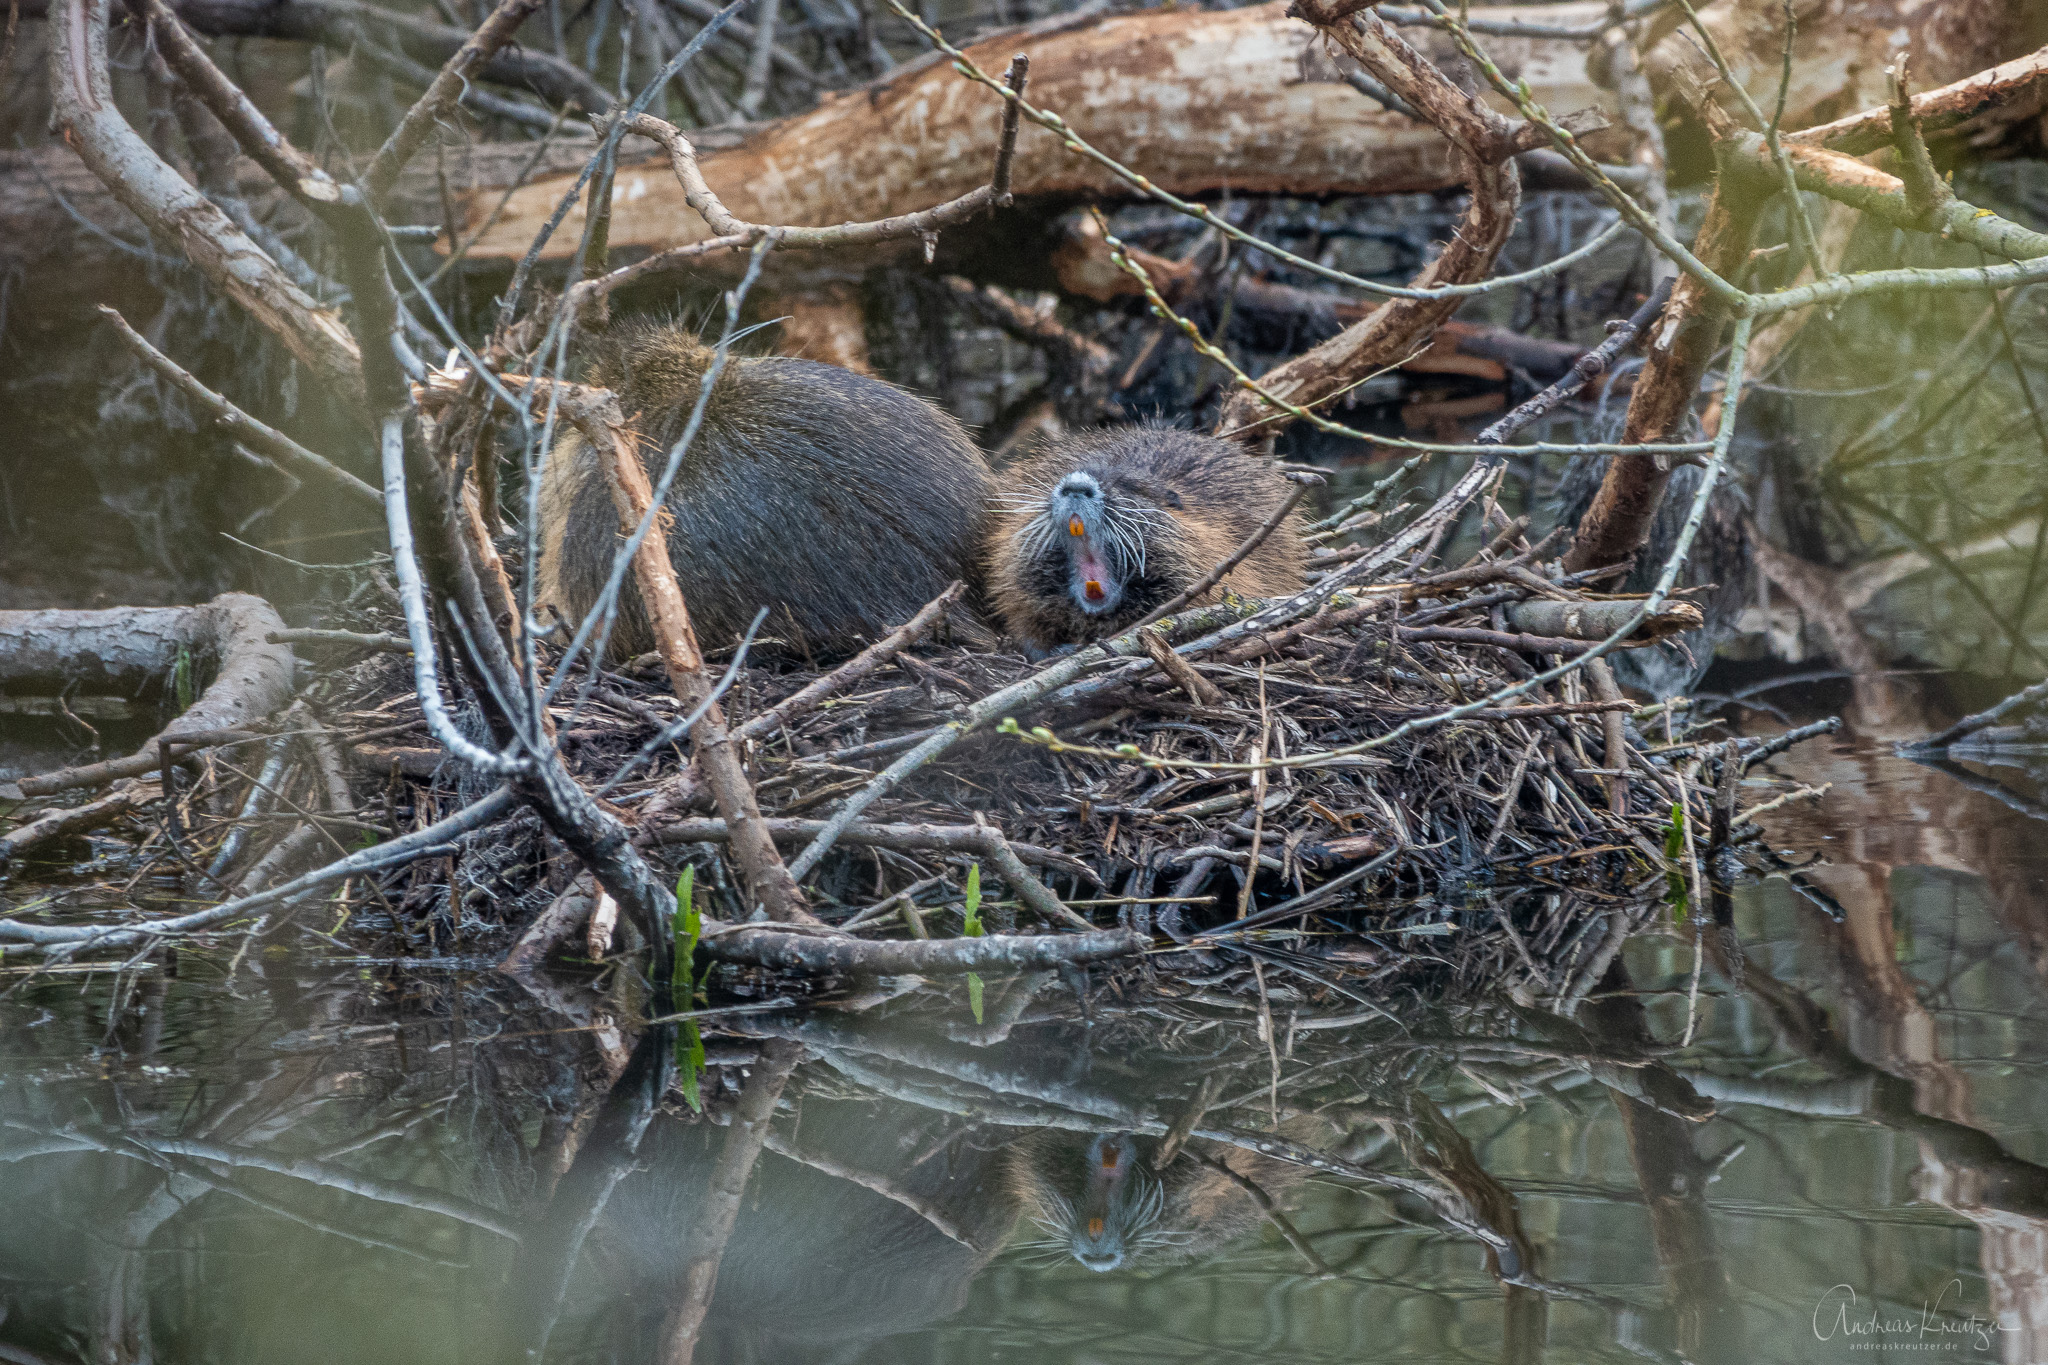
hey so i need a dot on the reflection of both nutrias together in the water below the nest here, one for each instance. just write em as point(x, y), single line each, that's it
point(876, 1219)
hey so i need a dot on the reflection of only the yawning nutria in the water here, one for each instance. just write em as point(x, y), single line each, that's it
point(1099, 1198)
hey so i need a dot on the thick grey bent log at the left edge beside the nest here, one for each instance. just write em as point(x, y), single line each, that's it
point(128, 650)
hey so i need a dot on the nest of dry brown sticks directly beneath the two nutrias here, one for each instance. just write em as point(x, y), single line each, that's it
point(1285, 791)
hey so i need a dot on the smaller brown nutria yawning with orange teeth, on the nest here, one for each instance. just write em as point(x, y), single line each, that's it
point(1111, 525)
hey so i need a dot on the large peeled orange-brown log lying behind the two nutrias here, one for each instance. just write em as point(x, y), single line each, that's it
point(1197, 101)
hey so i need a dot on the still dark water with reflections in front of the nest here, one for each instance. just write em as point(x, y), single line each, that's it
point(302, 1155)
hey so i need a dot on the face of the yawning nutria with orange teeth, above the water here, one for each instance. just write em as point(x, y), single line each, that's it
point(1093, 537)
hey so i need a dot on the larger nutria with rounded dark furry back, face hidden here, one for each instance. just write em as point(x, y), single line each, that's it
point(837, 500)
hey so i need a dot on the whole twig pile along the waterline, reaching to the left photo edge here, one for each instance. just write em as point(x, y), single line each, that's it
point(1383, 781)
